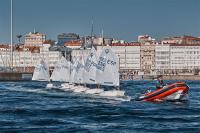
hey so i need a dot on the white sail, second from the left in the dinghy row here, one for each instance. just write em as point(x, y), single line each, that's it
point(61, 71)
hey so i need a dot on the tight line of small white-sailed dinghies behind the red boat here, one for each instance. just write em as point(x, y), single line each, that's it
point(90, 76)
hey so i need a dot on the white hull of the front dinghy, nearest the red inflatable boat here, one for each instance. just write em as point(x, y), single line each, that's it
point(112, 93)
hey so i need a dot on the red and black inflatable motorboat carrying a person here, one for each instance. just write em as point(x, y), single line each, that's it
point(173, 92)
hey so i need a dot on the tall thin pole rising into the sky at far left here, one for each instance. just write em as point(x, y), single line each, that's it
point(11, 35)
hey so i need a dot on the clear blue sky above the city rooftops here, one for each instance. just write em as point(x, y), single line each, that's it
point(121, 19)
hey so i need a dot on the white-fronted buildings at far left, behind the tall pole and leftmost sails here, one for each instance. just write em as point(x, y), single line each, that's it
point(28, 58)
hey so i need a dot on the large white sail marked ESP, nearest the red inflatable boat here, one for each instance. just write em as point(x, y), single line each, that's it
point(108, 68)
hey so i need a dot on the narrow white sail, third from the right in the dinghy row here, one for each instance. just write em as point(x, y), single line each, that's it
point(78, 78)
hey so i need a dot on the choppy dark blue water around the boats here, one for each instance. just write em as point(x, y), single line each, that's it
point(29, 107)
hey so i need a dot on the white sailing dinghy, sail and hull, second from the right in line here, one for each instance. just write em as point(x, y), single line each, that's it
point(89, 76)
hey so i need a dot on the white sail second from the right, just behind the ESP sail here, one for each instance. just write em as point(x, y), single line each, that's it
point(89, 76)
